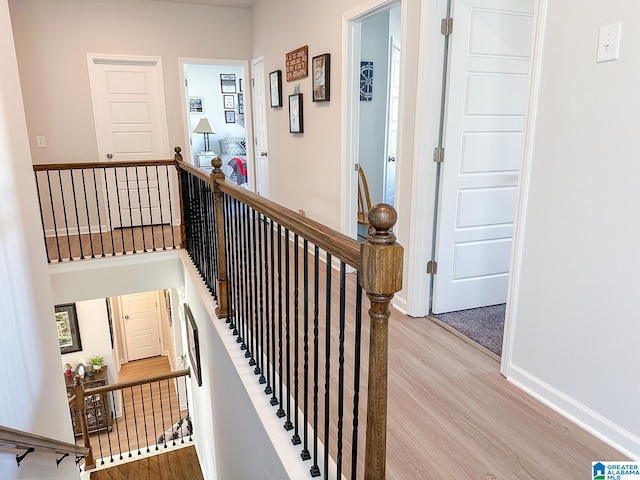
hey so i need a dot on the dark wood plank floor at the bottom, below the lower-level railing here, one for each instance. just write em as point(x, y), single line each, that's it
point(179, 464)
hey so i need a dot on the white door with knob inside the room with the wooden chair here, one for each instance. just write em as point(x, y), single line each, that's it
point(392, 122)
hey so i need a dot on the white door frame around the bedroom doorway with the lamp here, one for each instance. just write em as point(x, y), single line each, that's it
point(248, 111)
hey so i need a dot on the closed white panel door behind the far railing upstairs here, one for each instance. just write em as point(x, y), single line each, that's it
point(130, 118)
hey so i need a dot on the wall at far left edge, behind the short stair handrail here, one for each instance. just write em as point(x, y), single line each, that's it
point(32, 398)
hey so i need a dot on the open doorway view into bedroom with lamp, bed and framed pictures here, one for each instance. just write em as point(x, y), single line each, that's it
point(217, 117)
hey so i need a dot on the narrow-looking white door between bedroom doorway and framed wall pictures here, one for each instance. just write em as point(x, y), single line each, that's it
point(260, 127)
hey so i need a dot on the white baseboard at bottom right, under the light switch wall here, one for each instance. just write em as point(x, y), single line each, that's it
point(622, 440)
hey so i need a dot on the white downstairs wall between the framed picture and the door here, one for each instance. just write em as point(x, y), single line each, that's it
point(93, 325)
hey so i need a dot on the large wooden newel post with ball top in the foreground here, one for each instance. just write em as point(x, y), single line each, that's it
point(381, 261)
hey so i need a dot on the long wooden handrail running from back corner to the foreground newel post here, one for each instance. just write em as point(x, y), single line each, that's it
point(331, 241)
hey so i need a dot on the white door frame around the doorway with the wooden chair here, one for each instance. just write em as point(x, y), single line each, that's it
point(350, 108)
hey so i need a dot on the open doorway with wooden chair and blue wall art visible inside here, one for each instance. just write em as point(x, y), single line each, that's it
point(374, 56)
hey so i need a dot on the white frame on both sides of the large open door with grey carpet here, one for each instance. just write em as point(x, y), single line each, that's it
point(423, 186)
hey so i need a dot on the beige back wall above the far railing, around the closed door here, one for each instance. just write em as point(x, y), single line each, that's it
point(53, 38)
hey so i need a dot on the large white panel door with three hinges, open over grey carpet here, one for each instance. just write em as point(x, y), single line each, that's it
point(487, 90)
